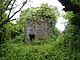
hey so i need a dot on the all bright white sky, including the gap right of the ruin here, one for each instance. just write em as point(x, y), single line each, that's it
point(35, 3)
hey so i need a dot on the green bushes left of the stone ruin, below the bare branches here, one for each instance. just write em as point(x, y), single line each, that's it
point(11, 31)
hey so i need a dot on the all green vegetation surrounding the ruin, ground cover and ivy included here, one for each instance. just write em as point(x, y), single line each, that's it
point(64, 46)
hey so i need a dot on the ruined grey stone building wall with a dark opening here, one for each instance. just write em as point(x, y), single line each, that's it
point(36, 30)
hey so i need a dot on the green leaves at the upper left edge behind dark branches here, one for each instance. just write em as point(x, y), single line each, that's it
point(3, 8)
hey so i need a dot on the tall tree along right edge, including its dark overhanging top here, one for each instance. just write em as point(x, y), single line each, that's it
point(71, 36)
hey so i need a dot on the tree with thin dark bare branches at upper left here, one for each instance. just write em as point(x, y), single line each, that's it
point(8, 5)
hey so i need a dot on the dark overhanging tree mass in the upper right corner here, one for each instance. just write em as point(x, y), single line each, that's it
point(71, 5)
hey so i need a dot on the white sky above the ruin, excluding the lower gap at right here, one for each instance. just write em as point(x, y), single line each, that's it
point(35, 3)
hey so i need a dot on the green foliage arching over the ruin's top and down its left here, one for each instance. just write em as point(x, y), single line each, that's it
point(13, 31)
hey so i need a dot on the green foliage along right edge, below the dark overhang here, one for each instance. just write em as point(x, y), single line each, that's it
point(72, 35)
